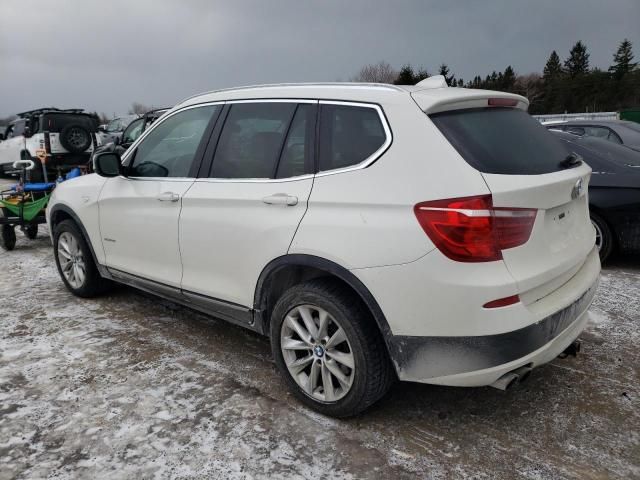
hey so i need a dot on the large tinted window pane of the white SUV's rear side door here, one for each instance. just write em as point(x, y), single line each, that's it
point(252, 139)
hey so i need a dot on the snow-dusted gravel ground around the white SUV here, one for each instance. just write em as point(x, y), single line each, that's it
point(127, 386)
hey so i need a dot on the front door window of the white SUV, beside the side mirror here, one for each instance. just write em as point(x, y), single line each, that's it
point(169, 150)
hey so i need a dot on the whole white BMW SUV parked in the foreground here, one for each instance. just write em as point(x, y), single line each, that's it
point(373, 232)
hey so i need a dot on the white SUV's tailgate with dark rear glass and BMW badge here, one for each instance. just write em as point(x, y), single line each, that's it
point(525, 166)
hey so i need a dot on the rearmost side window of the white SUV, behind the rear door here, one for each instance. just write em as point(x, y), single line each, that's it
point(348, 135)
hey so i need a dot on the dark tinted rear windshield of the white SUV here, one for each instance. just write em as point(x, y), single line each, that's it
point(504, 141)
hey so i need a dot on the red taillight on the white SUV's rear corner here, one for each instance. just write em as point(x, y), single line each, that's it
point(471, 229)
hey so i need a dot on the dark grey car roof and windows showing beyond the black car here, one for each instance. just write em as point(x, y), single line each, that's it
point(615, 131)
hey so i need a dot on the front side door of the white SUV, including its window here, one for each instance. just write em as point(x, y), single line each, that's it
point(139, 212)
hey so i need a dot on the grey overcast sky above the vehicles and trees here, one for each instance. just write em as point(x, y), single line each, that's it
point(104, 55)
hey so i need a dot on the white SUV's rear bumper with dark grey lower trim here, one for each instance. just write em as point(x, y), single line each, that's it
point(481, 359)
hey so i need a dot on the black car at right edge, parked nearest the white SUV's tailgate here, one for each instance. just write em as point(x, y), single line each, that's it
point(614, 192)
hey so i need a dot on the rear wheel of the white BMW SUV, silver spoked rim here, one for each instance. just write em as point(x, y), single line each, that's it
point(372, 374)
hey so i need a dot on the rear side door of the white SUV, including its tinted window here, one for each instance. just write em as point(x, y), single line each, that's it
point(245, 209)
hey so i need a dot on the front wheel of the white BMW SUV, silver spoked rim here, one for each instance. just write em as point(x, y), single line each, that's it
point(69, 245)
